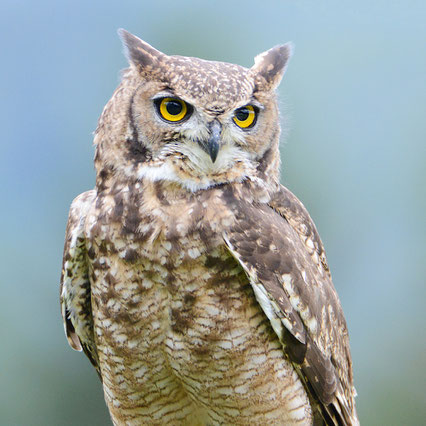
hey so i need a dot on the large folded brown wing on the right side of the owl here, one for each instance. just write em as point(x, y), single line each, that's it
point(280, 250)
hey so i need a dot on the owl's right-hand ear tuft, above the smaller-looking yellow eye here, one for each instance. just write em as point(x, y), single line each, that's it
point(269, 66)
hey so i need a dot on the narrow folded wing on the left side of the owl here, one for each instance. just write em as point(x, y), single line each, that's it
point(75, 285)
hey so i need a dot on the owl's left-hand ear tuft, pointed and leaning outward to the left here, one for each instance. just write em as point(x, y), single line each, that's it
point(139, 53)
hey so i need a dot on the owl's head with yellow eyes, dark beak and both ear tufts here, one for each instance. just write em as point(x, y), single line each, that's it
point(190, 121)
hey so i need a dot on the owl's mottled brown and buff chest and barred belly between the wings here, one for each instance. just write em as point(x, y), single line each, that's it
point(176, 322)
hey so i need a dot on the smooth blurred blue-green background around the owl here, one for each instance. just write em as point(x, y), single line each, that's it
point(353, 107)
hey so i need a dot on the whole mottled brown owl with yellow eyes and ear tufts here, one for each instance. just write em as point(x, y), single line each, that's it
point(196, 284)
